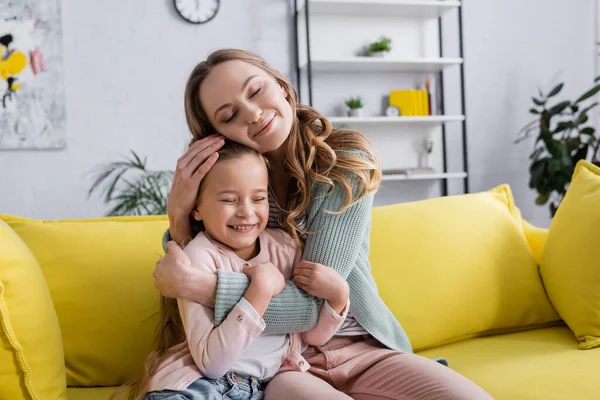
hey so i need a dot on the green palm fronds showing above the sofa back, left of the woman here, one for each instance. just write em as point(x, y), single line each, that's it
point(132, 188)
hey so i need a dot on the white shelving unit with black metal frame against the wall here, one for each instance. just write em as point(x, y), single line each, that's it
point(328, 41)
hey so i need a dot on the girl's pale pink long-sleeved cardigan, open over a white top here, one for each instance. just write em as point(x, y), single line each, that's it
point(211, 351)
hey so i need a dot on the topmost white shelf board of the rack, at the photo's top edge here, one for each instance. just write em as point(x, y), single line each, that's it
point(388, 8)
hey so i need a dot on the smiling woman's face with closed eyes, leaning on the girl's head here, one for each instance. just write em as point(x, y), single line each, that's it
point(247, 105)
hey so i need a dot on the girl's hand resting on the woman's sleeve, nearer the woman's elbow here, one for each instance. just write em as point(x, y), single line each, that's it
point(323, 282)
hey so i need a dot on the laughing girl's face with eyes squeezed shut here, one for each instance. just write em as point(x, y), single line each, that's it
point(233, 203)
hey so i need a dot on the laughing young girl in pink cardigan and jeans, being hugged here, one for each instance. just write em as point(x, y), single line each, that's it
point(196, 360)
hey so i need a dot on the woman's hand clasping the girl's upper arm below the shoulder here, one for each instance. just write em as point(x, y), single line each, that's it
point(175, 277)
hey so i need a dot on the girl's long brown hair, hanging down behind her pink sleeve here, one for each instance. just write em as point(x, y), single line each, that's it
point(169, 331)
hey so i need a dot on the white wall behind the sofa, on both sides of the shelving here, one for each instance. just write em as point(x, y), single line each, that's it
point(126, 67)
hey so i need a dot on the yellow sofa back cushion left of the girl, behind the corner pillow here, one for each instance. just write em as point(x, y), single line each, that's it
point(99, 272)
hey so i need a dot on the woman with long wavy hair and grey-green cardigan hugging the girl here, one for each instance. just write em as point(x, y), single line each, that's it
point(322, 185)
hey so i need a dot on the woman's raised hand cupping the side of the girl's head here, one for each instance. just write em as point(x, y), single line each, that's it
point(191, 168)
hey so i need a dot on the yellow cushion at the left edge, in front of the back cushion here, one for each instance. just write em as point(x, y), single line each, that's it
point(31, 355)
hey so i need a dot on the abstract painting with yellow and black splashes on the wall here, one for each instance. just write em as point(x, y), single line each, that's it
point(32, 94)
